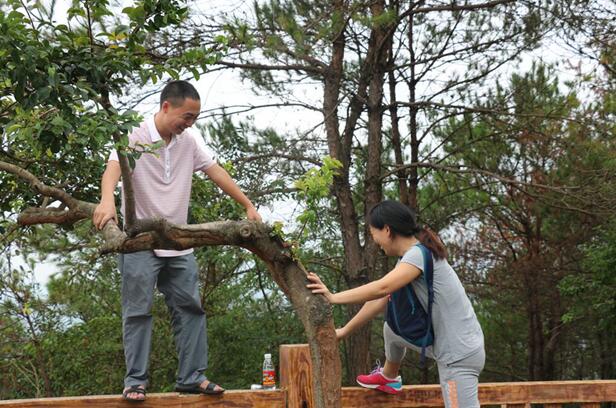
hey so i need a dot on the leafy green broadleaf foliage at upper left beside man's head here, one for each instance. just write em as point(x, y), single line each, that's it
point(53, 109)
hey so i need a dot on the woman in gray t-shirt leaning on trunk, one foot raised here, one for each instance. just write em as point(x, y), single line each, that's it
point(458, 339)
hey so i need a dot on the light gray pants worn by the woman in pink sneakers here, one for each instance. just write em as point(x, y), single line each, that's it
point(459, 380)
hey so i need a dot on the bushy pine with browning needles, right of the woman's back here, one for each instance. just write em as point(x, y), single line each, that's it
point(524, 243)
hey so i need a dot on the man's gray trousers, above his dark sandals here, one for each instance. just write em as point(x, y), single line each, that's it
point(177, 279)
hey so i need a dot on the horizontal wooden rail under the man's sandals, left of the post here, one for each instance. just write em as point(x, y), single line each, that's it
point(236, 399)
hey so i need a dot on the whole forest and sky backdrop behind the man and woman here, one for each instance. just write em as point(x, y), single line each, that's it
point(495, 120)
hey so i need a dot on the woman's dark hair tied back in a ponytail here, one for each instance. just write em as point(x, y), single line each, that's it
point(403, 221)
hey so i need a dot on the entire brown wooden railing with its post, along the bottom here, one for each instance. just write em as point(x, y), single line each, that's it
point(296, 392)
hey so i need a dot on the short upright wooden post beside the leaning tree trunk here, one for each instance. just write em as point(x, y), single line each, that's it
point(296, 375)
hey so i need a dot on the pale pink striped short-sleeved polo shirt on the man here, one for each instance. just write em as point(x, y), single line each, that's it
point(163, 181)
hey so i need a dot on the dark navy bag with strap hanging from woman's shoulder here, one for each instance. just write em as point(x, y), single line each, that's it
point(405, 314)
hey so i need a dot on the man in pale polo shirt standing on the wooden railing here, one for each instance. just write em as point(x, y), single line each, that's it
point(162, 185)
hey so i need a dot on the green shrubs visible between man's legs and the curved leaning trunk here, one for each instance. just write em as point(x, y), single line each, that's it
point(257, 321)
